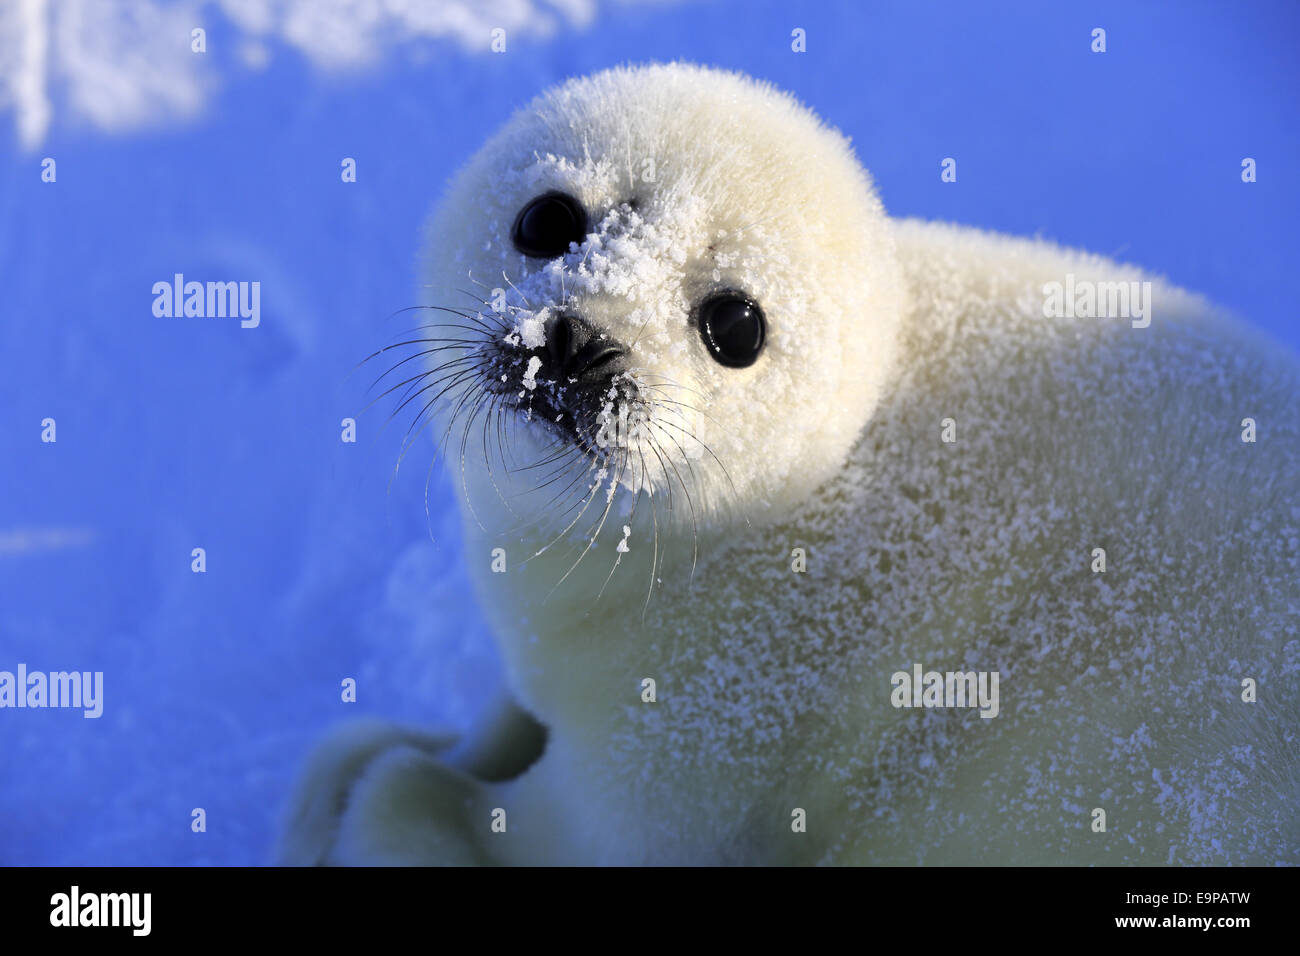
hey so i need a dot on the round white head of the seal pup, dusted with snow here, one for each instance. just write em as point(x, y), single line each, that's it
point(679, 279)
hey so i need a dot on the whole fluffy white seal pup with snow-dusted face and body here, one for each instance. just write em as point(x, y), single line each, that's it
point(723, 426)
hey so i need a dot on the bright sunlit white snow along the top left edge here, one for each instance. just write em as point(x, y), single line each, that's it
point(127, 64)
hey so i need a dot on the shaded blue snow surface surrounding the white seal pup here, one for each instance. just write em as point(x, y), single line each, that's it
point(176, 434)
